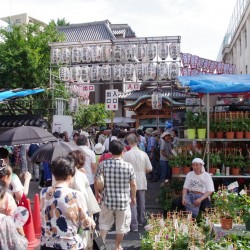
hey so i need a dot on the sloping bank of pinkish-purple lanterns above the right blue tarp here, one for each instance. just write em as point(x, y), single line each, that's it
point(191, 62)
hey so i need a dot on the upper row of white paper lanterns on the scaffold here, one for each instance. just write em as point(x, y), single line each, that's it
point(115, 53)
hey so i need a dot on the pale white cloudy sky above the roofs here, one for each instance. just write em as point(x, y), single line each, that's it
point(201, 24)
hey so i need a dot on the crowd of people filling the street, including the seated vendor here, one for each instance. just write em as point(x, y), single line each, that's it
point(70, 198)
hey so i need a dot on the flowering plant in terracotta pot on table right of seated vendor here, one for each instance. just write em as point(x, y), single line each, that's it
point(227, 205)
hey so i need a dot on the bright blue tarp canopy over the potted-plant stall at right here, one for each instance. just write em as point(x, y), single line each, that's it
point(216, 84)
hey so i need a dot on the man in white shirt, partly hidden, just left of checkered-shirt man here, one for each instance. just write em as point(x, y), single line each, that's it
point(90, 162)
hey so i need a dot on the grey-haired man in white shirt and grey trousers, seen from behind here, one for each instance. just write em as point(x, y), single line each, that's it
point(142, 165)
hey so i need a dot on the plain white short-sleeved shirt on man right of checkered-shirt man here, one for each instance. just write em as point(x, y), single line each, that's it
point(141, 163)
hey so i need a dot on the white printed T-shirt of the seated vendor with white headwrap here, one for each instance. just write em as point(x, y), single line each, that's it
point(199, 183)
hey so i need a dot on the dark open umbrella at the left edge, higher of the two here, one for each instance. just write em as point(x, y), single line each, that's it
point(25, 135)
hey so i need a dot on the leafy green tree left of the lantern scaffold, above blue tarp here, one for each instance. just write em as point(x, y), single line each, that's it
point(25, 55)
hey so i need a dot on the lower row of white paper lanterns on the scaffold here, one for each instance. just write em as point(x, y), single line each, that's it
point(118, 72)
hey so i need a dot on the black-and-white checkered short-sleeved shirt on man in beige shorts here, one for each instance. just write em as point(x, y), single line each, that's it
point(117, 177)
